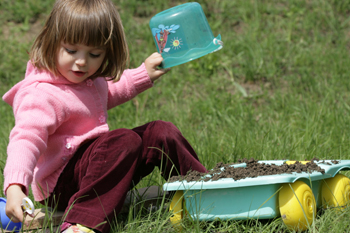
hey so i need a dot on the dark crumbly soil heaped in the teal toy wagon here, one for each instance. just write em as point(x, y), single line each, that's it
point(253, 169)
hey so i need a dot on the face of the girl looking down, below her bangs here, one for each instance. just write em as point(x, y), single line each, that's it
point(78, 62)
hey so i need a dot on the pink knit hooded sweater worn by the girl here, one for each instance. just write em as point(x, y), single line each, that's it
point(53, 117)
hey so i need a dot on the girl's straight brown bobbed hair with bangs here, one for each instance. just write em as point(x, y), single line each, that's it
point(89, 22)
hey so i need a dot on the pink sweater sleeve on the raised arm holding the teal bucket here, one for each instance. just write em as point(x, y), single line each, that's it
point(131, 83)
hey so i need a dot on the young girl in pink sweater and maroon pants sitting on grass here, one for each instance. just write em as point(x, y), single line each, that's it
point(61, 143)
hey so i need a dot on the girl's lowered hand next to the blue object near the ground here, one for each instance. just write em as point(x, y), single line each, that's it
point(14, 195)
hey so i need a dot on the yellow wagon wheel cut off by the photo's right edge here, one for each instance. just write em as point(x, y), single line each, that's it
point(336, 191)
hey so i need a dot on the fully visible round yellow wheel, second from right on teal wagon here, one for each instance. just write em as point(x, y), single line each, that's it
point(297, 205)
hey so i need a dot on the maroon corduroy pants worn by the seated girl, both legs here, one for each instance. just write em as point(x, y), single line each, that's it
point(93, 186)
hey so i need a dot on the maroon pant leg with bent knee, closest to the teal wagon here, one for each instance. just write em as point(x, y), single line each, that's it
point(165, 147)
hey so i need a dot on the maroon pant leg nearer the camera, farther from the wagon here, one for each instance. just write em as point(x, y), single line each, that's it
point(94, 188)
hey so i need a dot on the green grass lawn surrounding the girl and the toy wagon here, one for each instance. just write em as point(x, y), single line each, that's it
point(278, 89)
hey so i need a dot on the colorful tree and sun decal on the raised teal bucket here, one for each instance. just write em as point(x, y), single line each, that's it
point(161, 35)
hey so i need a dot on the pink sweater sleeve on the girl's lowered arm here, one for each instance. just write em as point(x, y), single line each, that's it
point(37, 115)
